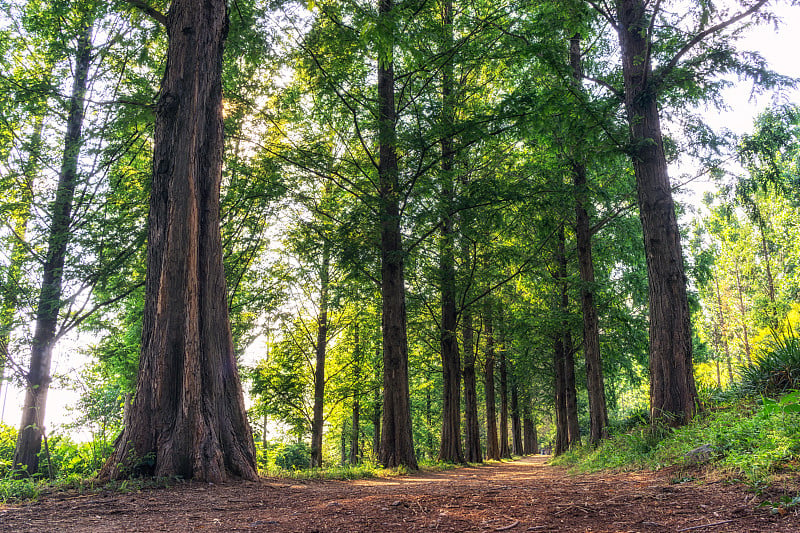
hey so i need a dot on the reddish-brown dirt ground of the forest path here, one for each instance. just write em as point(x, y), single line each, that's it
point(525, 495)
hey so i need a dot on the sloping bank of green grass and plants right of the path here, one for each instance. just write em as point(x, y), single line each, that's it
point(749, 441)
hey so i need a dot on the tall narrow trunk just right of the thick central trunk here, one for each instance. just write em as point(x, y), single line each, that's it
point(450, 449)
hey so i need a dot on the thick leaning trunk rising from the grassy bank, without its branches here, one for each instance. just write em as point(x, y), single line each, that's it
point(672, 388)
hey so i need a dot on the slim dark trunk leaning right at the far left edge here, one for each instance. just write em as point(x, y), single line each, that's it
point(37, 380)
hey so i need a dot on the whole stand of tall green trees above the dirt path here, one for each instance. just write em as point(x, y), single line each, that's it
point(289, 235)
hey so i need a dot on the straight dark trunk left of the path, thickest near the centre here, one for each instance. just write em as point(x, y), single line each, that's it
point(397, 446)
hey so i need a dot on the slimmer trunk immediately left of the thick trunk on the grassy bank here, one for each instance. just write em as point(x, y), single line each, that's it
point(595, 385)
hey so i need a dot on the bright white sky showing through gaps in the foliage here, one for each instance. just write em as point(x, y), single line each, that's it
point(781, 49)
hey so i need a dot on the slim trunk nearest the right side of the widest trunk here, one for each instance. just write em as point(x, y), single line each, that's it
point(320, 352)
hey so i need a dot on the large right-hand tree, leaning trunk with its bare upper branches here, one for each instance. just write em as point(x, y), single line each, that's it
point(673, 393)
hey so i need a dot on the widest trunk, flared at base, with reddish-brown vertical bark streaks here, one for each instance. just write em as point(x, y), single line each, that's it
point(188, 417)
